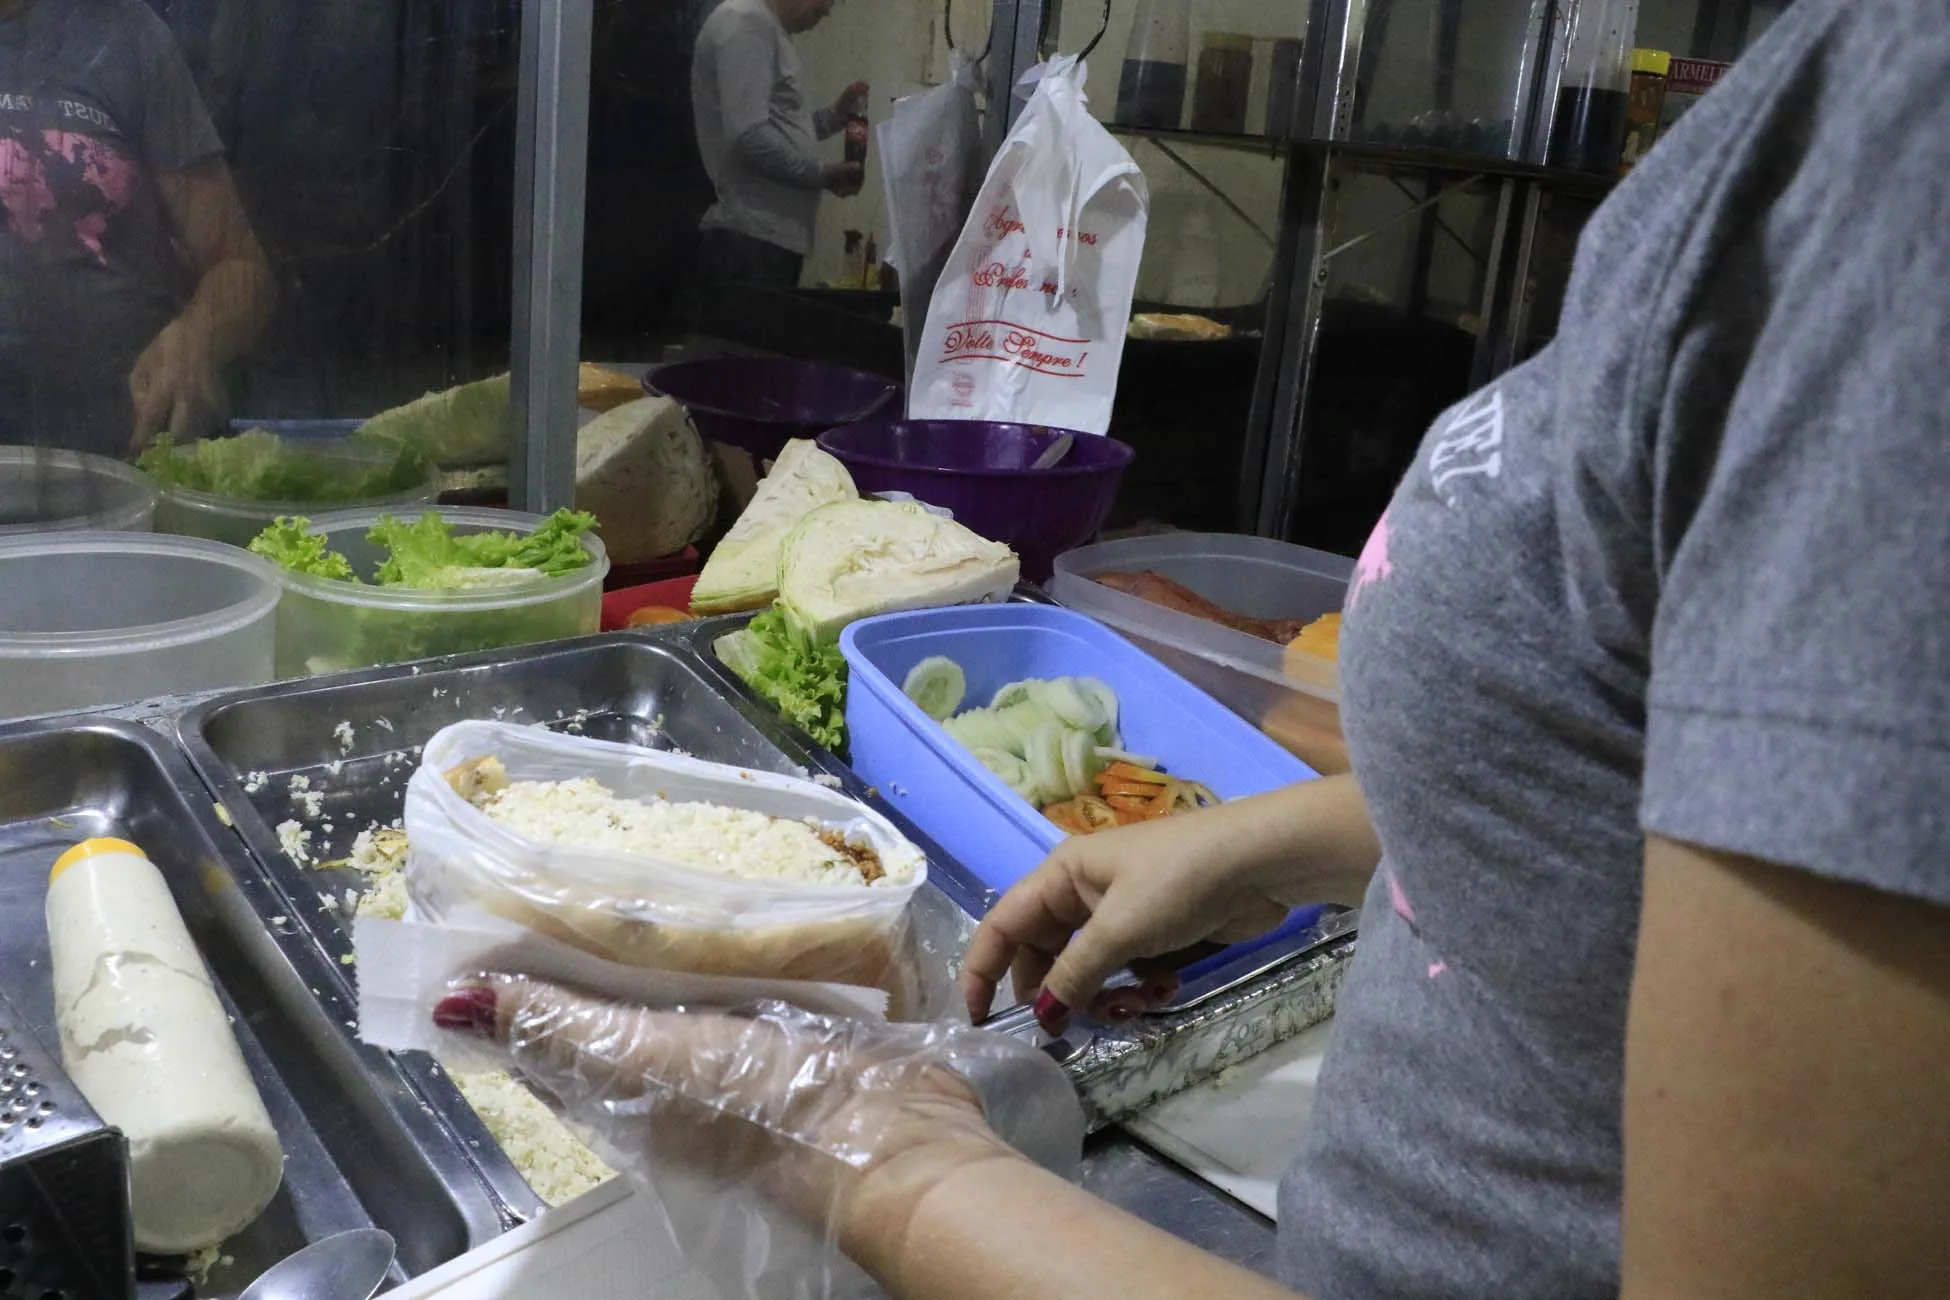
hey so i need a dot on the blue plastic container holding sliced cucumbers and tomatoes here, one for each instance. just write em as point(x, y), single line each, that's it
point(958, 802)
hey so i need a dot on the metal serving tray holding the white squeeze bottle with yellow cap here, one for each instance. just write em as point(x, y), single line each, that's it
point(360, 1147)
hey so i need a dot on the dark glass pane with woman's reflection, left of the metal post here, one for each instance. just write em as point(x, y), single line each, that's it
point(254, 215)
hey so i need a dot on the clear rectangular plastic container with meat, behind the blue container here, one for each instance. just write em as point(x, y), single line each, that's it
point(1290, 695)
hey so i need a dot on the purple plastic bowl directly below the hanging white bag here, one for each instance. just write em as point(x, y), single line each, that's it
point(980, 471)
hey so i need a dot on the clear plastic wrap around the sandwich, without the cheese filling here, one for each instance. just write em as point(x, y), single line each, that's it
point(648, 913)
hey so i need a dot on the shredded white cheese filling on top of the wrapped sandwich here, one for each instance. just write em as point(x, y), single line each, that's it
point(586, 816)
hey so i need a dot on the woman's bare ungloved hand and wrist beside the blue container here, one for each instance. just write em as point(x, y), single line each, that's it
point(1138, 894)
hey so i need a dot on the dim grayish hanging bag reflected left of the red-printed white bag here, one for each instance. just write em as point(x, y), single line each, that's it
point(931, 161)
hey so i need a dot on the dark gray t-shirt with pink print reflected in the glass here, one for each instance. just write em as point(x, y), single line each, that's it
point(95, 104)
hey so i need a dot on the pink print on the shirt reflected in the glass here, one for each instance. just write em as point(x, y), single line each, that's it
point(81, 180)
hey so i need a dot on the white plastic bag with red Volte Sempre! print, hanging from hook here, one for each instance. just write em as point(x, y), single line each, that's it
point(1029, 319)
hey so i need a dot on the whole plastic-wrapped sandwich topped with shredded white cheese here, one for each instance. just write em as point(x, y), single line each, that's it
point(664, 862)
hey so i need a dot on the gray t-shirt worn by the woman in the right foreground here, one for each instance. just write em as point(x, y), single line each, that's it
point(1684, 574)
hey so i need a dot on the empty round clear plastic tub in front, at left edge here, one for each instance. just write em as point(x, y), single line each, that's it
point(93, 619)
